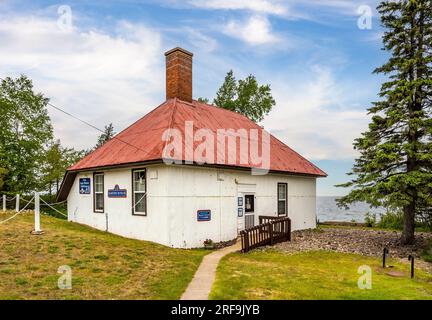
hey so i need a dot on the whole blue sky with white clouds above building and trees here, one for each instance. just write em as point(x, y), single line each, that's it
point(109, 65)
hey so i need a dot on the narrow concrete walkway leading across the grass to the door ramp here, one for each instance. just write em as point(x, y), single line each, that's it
point(200, 286)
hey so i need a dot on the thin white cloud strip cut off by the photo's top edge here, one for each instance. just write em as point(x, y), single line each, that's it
point(259, 6)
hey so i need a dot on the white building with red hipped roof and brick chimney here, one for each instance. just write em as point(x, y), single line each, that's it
point(162, 180)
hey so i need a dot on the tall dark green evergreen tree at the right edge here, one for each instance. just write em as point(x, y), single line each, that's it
point(394, 168)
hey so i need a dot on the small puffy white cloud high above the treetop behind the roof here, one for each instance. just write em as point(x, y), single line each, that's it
point(256, 30)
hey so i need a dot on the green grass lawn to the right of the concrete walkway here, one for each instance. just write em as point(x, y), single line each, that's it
point(270, 274)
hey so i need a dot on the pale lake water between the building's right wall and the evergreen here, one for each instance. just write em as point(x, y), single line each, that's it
point(327, 210)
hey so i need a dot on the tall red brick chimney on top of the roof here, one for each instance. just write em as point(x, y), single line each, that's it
point(179, 74)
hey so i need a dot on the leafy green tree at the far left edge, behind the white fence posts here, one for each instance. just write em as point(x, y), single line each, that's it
point(25, 132)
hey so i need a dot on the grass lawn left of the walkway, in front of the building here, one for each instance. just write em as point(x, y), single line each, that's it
point(104, 266)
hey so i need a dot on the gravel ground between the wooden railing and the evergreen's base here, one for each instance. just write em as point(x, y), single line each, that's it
point(356, 240)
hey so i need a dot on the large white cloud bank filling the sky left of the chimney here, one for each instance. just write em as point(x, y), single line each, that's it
point(99, 77)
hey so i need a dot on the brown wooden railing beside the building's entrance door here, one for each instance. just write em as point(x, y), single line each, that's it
point(268, 233)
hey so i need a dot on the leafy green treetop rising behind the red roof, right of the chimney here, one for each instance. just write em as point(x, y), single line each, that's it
point(245, 96)
